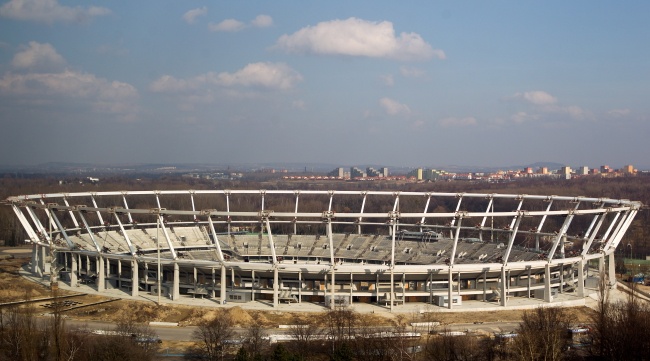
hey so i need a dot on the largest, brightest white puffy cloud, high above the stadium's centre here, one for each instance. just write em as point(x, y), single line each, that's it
point(357, 37)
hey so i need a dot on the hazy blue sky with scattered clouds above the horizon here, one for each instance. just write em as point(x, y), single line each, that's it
point(418, 83)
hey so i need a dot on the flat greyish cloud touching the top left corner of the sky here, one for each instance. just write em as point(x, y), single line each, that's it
point(49, 11)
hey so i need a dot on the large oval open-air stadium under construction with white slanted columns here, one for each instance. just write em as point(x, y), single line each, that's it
point(331, 247)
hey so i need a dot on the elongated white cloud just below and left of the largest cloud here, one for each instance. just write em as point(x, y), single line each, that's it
point(276, 76)
